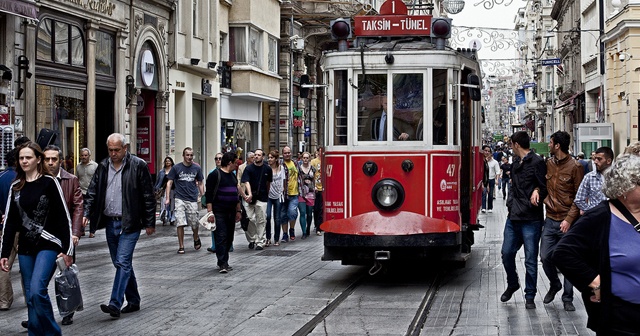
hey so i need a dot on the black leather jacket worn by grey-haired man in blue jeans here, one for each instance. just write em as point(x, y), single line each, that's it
point(138, 199)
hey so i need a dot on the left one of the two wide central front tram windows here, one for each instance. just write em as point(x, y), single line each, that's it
point(372, 114)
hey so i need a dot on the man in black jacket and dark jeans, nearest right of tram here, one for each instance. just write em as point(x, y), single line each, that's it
point(525, 218)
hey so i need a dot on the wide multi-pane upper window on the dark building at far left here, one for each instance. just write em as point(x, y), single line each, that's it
point(60, 42)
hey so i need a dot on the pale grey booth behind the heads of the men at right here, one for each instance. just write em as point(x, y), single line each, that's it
point(591, 136)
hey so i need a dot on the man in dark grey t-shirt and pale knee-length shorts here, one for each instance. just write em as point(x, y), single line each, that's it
point(187, 178)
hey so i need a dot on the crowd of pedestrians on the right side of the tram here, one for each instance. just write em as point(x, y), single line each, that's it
point(578, 216)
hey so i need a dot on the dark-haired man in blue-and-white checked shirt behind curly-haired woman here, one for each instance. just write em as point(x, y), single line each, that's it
point(590, 191)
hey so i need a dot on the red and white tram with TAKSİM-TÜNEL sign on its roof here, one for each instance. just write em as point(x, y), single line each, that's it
point(402, 165)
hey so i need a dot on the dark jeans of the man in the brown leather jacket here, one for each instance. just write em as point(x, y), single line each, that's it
point(551, 235)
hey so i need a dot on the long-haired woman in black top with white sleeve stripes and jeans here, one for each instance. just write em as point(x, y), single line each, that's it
point(37, 210)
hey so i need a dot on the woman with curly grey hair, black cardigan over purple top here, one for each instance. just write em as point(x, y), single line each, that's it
point(600, 254)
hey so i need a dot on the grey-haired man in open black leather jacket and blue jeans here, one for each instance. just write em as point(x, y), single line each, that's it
point(120, 198)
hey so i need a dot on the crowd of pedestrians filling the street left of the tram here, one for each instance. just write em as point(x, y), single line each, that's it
point(46, 210)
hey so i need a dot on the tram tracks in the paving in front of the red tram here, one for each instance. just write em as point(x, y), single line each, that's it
point(417, 322)
